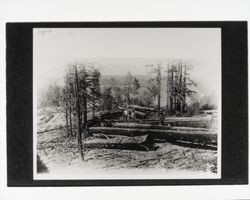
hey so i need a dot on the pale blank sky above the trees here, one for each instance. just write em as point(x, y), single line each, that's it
point(115, 51)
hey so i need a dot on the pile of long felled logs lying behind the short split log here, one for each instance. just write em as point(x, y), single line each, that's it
point(189, 132)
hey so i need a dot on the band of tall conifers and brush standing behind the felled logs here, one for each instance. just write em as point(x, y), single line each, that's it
point(109, 93)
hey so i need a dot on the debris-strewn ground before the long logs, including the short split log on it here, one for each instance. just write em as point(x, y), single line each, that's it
point(58, 152)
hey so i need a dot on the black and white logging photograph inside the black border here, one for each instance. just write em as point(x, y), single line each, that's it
point(126, 103)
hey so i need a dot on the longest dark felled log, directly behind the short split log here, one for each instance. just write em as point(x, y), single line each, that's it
point(199, 136)
